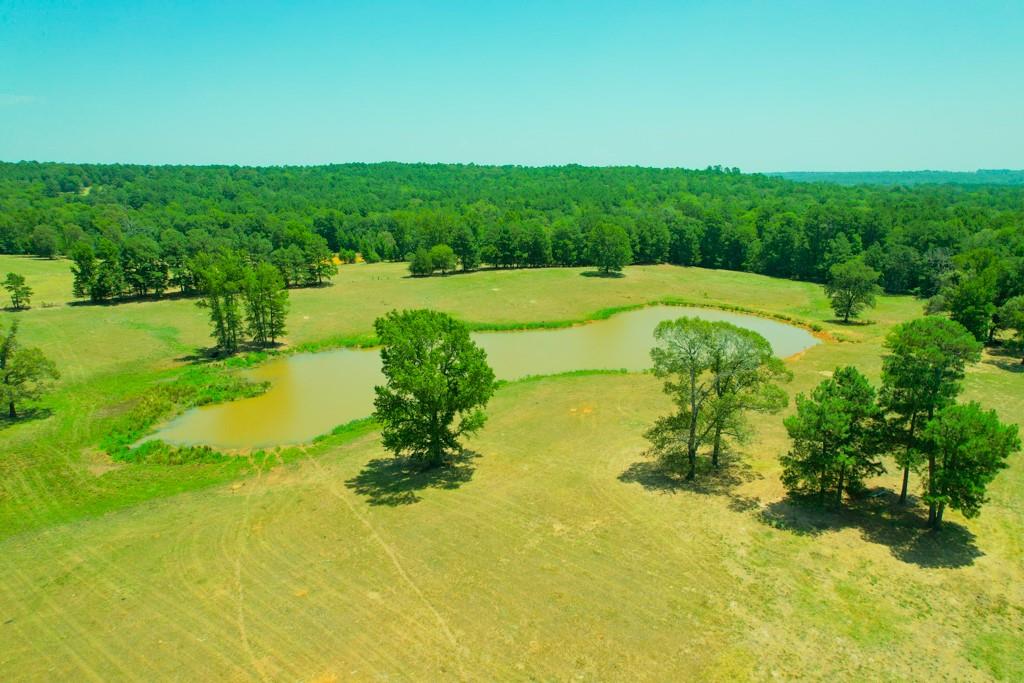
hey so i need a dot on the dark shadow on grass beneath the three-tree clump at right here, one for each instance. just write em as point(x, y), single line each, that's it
point(881, 521)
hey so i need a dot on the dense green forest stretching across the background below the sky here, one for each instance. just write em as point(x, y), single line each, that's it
point(143, 231)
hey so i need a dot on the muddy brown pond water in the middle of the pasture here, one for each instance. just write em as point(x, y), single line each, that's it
point(311, 394)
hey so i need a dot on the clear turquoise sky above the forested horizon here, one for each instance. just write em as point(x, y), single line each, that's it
point(765, 87)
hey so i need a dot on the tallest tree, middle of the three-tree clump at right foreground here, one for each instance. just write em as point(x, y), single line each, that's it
point(921, 374)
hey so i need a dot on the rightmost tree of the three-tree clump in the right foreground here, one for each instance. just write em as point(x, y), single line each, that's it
point(970, 447)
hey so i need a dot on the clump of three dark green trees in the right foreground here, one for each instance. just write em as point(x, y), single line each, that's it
point(843, 430)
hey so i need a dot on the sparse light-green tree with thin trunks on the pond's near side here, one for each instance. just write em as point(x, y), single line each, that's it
point(716, 373)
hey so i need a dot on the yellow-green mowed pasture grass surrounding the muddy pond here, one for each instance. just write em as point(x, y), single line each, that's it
point(554, 554)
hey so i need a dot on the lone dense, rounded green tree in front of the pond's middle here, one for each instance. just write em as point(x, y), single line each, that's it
point(439, 383)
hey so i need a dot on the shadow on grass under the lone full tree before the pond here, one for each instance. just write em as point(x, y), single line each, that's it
point(395, 482)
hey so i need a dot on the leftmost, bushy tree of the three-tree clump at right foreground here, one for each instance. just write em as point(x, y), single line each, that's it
point(832, 449)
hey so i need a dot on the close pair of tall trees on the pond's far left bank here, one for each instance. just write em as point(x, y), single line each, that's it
point(244, 301)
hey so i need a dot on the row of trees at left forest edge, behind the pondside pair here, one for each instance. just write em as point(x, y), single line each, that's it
point(140, 266)
